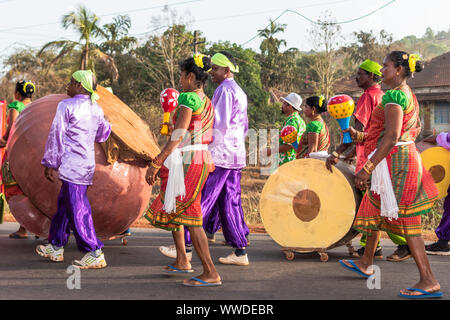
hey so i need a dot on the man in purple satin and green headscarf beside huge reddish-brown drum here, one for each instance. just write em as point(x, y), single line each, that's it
point(79, 123)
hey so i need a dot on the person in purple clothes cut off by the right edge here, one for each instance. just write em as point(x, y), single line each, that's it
point(441, 246)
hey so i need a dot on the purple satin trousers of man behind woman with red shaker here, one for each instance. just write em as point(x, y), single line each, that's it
point(222, 207)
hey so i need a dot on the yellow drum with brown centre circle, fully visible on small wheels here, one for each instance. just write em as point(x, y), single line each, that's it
point(304, 207)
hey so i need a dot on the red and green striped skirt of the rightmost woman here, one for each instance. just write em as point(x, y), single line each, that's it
point(414, 190)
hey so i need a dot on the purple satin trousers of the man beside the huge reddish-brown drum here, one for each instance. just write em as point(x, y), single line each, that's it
point(74, 213)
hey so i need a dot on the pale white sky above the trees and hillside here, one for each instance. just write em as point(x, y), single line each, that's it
point(33, 23)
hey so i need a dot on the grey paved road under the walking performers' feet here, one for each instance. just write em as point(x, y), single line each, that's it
point(134, 272)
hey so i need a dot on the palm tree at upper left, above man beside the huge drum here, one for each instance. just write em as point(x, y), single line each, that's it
point(86, 24)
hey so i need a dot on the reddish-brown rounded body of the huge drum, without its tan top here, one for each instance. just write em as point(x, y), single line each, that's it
point(118, 195)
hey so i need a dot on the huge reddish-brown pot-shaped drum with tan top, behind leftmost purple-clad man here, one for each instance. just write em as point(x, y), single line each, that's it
point(119, 193)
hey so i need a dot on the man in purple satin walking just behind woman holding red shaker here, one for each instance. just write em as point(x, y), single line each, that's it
point(221, 195)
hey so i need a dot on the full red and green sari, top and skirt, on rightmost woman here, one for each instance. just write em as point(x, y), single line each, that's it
point(413, 186)
